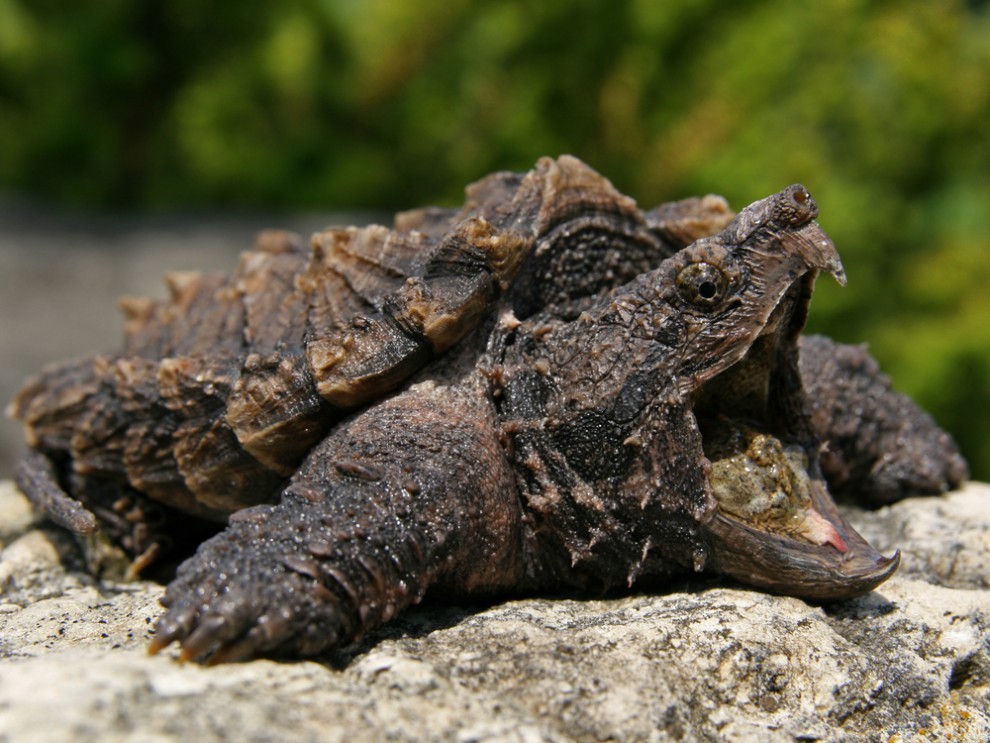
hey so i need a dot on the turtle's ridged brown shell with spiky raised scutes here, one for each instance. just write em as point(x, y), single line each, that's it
point(220, 390)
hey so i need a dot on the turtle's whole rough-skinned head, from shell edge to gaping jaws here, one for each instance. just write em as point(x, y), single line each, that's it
point(607, 418)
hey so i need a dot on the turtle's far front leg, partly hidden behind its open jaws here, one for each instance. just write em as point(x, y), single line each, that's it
point(881, 447)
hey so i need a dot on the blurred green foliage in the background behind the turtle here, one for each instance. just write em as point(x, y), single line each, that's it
point(881, 108)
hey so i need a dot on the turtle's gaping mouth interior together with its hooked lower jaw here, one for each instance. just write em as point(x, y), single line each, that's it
point(776, 525)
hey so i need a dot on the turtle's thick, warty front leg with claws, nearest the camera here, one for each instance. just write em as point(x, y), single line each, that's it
point(414, 494)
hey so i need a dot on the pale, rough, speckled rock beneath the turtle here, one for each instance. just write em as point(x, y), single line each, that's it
point(910, 661)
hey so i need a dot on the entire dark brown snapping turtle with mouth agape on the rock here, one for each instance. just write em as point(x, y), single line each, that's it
point(546, 388)
